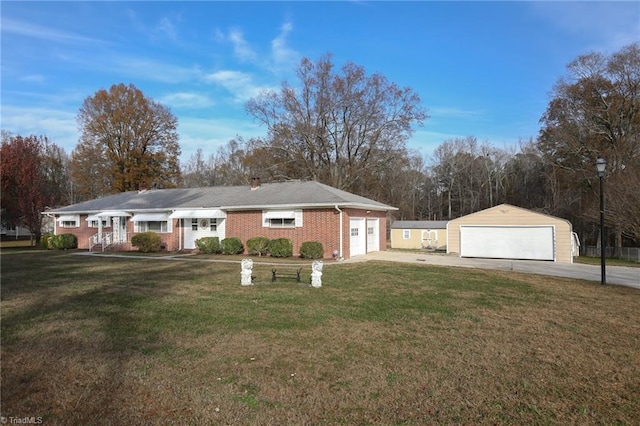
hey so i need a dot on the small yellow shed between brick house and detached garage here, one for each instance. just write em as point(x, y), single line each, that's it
point(419, 234)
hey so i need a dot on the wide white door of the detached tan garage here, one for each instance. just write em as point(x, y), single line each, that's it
point(508, 242)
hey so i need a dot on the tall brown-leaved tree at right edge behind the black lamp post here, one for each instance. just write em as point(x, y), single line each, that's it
point(596, 111)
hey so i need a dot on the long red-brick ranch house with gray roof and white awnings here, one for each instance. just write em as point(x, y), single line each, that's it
point(346, 224)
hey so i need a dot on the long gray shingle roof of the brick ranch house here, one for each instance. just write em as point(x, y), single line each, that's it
point(270, 195)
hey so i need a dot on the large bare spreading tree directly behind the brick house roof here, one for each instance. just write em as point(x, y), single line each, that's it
point(339, 128)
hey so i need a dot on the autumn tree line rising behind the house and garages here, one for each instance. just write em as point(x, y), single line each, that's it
point(349, 130)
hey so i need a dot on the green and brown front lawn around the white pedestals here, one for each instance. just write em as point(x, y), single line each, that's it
point(95, 340)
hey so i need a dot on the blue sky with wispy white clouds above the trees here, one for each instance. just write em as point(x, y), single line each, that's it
point(482, 69)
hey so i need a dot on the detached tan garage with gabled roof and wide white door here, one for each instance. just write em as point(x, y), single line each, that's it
point(509, 232)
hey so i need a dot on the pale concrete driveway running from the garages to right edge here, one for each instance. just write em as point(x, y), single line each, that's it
point(619, 275)
